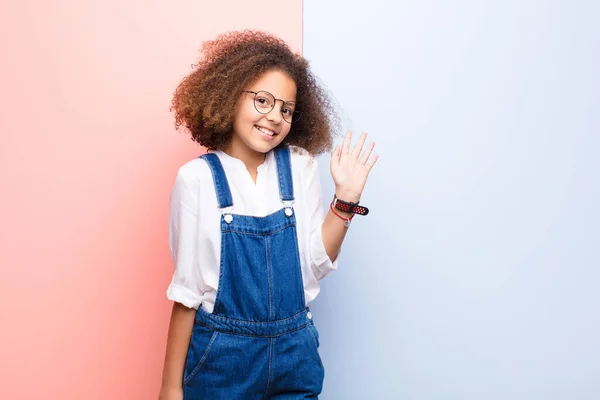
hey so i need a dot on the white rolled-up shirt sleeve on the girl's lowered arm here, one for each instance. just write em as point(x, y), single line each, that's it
point(183, 239)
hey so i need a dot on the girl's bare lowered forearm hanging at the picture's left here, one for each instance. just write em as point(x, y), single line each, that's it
point(178, 340)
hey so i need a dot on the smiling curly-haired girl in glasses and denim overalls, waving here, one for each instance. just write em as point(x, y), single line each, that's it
point(248, 232)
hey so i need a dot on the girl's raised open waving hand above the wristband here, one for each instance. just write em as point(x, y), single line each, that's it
point(350, 169)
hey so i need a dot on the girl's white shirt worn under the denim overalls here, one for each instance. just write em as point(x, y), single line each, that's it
point(195, 230)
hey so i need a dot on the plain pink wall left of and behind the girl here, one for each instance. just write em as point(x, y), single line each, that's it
point(87, 159)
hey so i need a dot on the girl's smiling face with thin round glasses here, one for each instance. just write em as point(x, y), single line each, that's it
point(256, 133)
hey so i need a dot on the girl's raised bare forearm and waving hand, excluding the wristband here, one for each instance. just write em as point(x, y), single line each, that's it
point(349, 171)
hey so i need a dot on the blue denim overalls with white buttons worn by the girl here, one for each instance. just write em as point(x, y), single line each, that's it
point(260, 341)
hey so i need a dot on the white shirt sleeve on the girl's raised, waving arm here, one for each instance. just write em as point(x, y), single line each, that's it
point(320, 261)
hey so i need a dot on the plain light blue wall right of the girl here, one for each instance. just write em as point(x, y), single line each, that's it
point(477, 274)
